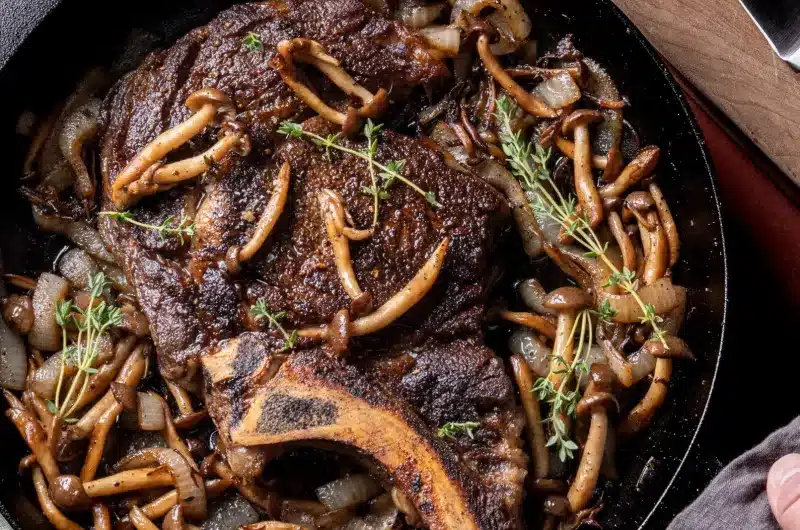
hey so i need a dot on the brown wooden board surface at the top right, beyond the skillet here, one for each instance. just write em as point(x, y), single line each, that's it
point(716, 45)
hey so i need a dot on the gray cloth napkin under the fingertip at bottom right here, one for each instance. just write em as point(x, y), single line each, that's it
point(737, 498)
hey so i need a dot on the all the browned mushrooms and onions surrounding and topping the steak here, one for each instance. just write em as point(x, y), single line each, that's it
point(627, 210)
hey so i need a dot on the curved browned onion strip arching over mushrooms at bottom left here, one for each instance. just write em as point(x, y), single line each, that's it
point(190, 486)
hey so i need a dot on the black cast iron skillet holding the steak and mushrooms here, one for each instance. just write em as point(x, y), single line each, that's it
point(75, 36)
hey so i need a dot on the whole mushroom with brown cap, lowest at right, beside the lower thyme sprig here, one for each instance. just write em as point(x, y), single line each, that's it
point(596, 398)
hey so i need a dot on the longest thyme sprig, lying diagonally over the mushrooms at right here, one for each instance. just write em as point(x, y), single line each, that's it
point(528, 161)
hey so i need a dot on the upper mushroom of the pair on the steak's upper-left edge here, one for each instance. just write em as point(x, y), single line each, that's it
point(207, 105)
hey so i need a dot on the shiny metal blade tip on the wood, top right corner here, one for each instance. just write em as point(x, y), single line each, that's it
point(779, 21)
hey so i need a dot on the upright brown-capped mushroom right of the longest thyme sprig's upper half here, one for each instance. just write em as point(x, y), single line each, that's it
point(578, 124)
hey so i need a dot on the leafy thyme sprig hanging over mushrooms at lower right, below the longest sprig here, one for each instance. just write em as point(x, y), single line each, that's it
point(564, 400)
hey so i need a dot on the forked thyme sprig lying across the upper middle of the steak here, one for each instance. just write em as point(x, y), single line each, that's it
point(389, 172)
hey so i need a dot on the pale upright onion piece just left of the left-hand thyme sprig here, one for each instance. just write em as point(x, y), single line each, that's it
point(45, 334)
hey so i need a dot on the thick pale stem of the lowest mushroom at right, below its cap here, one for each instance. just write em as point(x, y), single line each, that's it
point(580, 493)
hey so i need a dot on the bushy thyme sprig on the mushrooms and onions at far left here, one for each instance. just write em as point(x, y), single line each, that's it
point(91, 323)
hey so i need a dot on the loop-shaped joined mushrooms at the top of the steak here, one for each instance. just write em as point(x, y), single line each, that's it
point(312, 52)
